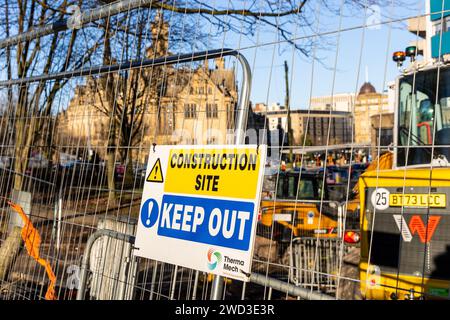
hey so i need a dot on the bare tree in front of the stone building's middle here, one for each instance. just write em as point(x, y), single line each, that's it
point(124, 98)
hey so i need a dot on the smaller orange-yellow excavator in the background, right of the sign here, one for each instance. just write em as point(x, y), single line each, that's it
point(305, 207)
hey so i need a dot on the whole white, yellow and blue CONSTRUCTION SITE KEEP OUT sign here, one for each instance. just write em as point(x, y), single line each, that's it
point(200, 207)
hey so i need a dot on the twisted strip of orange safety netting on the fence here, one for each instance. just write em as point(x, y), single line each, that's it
point(32, 241)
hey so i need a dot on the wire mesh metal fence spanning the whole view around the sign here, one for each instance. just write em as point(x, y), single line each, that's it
point(88, 88)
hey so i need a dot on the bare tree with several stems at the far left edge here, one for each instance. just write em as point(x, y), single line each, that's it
point(57, 52)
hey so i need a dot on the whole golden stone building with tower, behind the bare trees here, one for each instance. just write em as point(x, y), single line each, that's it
point(192, 104)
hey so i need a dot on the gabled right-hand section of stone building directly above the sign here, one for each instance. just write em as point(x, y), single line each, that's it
point(198, 106)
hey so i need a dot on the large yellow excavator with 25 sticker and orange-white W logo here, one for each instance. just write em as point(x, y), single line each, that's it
point(404, 202)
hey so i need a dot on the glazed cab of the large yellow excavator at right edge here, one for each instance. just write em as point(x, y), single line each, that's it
point(423, 118)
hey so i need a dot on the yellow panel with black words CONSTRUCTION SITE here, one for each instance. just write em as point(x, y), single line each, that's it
point(225, 172)
